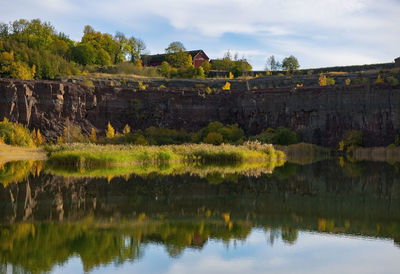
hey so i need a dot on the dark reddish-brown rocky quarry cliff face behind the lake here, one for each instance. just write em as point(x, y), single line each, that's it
point(319, 115)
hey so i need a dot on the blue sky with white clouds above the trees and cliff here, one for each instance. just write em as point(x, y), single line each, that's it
point(319, 33)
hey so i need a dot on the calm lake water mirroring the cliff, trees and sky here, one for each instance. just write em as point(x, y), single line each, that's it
point(331, 216)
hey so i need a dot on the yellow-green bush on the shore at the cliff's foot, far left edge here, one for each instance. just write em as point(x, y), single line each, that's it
point(15, 134)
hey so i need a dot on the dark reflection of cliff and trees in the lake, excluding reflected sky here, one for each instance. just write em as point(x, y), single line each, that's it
point(45, 219)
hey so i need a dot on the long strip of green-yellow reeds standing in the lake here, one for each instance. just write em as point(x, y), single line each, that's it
point(89, 155)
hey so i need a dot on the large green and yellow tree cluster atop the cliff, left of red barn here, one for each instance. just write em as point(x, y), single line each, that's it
point(33, 49)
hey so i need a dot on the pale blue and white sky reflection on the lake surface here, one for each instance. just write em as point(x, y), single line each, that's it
point(312, 253)
